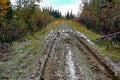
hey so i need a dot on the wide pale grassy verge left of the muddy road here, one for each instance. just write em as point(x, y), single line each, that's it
point(25, 55)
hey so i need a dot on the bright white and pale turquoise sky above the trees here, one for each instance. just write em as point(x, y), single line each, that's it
point(63, 5)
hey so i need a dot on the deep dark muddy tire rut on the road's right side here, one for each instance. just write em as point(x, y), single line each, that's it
point(107, 69)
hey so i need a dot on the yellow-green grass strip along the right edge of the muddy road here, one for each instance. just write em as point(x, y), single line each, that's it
point(112, 51)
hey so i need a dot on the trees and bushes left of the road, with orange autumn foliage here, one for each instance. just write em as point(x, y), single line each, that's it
point(24, 17)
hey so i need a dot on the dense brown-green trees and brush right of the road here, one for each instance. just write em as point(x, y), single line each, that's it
point(102, 16)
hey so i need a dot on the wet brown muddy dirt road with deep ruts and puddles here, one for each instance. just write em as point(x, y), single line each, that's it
point(69, 55)
